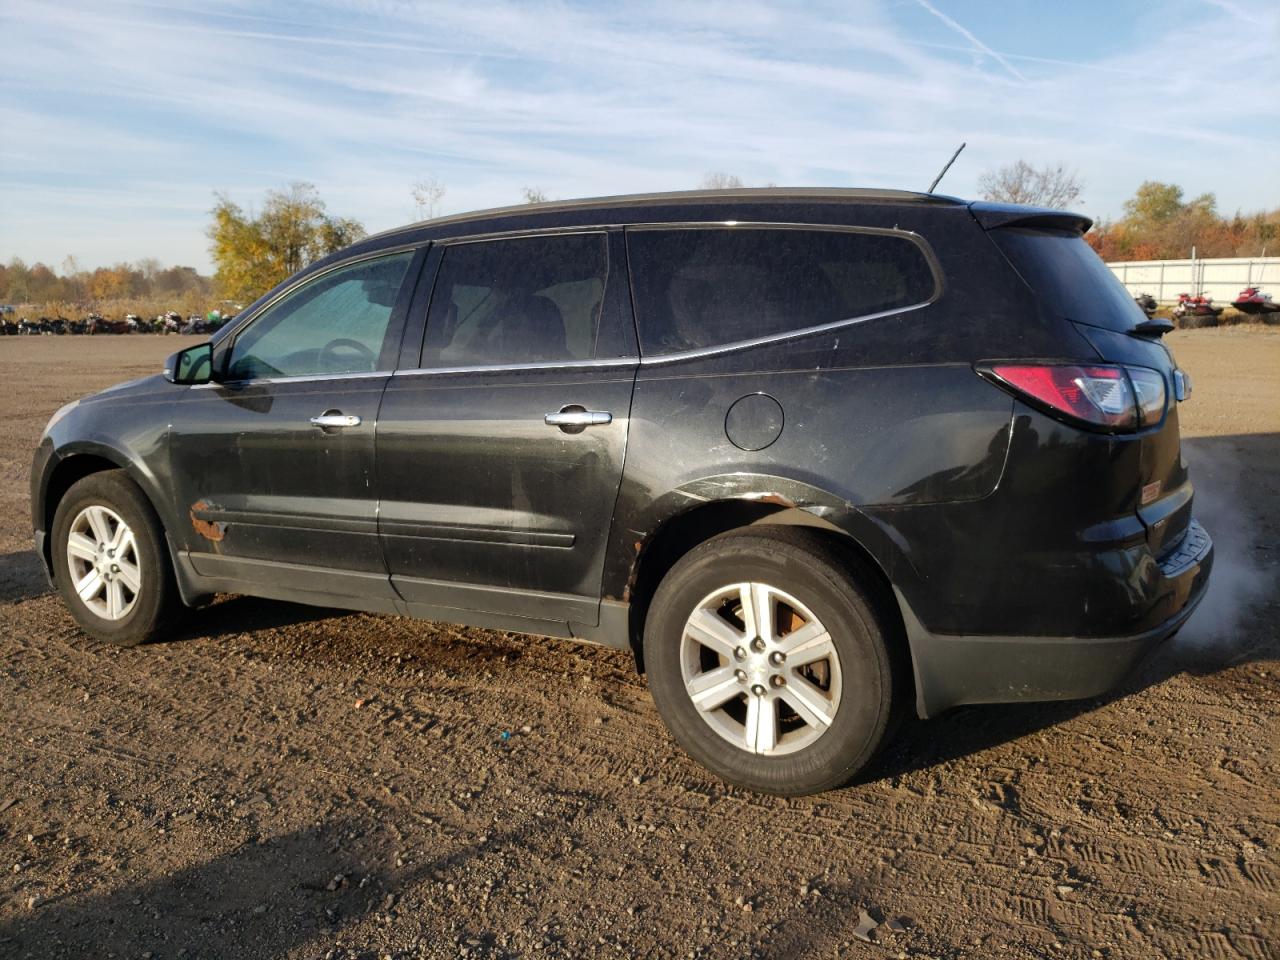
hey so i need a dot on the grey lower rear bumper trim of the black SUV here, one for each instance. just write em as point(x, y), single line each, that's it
point(952, 671)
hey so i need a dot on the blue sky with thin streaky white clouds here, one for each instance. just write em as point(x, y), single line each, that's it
point(121, 121)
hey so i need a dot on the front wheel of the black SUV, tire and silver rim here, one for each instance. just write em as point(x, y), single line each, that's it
point(139, 601)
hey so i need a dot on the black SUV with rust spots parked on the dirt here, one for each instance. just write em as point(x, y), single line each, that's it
point(808, 454)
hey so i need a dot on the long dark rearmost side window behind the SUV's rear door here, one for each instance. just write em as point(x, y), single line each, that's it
point(707, 287)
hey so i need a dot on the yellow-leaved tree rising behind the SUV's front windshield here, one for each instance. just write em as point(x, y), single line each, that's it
point(254, 254)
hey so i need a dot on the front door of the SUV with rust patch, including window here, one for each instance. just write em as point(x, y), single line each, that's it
point(275, 463)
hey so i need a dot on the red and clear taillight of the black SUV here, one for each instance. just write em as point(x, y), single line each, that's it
point(1110, 397)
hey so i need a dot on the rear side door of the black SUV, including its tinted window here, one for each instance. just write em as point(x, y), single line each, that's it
point(500, 455)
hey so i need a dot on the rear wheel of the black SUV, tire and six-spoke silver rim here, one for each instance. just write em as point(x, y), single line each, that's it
point(799, 749)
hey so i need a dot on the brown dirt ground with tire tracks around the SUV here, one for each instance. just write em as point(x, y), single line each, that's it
point(284, 781)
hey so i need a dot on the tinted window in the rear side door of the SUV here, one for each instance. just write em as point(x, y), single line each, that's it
point(518, 301)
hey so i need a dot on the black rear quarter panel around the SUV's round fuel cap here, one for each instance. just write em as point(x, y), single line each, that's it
point(884, 419)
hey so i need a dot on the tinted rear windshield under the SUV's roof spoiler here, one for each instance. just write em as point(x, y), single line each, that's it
point(1069, 277)
